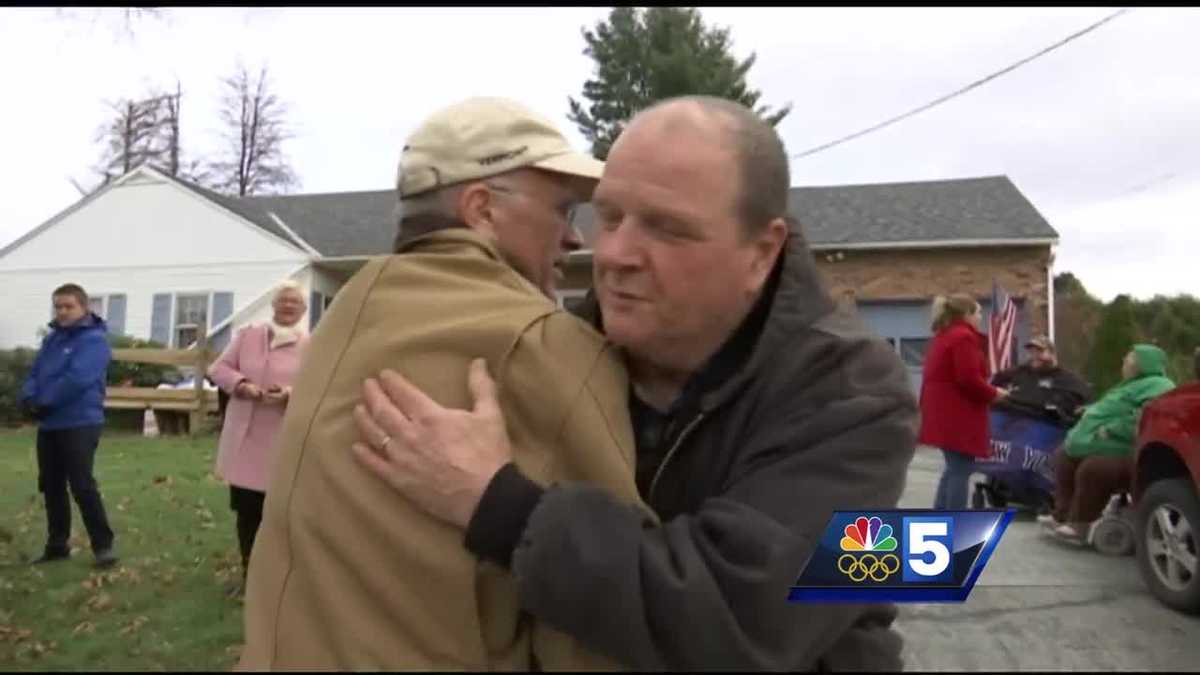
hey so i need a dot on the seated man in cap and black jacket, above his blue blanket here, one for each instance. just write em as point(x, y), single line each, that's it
point(1042, 389)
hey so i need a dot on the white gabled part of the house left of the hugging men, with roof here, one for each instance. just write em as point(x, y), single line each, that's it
point(164, 259)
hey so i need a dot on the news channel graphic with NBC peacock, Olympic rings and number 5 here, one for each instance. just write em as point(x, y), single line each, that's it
point(901, 555)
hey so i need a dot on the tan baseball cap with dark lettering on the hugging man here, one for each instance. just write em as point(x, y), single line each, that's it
point(482, 138)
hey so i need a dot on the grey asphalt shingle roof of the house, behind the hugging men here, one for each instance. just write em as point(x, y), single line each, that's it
point(363, 224)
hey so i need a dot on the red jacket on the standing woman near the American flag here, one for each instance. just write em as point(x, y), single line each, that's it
point(955, 393)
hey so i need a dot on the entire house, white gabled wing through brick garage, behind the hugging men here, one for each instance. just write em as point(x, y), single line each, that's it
point(165, 258)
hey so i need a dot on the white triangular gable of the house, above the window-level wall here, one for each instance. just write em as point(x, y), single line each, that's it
point(147, 223)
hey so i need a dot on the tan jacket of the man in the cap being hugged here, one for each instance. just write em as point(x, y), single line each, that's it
point(346, 574)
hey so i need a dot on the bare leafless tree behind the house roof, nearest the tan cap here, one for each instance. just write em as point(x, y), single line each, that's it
point(254, 120)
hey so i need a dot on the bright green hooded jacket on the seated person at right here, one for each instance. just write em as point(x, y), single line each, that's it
point(1118, 413)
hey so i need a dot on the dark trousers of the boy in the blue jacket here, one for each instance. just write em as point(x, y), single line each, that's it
point(65, 458)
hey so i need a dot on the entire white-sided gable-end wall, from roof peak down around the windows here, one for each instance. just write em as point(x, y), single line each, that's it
point(143, 237)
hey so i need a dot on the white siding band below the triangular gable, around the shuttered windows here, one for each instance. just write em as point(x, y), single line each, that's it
point(27, 306)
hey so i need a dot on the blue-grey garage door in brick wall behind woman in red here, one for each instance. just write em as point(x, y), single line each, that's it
point(905, 326)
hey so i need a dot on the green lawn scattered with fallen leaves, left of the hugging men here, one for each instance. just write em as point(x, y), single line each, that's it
point(163, 607)
